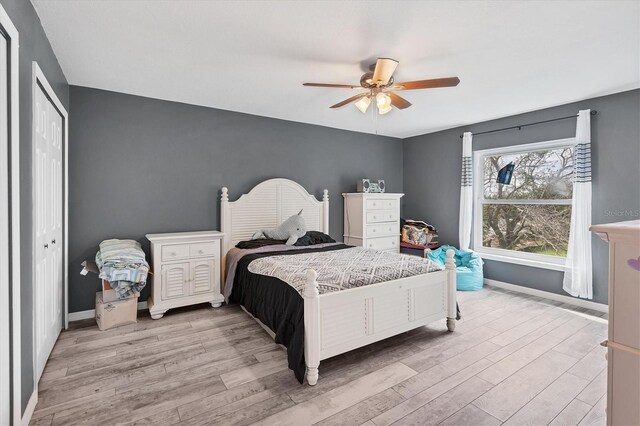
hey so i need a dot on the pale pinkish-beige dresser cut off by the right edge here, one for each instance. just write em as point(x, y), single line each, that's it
point(623, 382)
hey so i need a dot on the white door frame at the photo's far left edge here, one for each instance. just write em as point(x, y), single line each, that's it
point(15, 371)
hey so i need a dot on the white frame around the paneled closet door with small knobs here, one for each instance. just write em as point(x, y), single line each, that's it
point(39, 80)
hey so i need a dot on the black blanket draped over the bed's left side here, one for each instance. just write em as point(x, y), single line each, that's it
point(278, 305)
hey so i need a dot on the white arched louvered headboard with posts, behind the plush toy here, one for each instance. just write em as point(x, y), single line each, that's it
point(267, 205)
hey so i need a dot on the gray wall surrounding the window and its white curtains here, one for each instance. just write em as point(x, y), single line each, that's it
point(432, 177)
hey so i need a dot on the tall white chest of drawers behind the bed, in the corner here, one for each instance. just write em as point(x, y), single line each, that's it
point(372, 220)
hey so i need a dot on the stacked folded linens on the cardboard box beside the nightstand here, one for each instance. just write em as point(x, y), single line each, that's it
point(123, 264)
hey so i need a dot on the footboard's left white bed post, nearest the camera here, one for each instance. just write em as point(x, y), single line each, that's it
point(312, 327)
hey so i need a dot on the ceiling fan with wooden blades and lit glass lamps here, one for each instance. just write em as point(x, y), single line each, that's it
point(380, 85)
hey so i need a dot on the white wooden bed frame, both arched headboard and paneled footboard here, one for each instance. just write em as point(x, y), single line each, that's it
point(341, 321)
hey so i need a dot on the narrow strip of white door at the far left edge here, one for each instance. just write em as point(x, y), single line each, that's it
point(5, 390)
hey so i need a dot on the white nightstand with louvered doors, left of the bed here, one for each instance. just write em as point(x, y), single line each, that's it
point(186, 270)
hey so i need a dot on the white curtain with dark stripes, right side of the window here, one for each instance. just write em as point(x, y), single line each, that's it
point(578, 274)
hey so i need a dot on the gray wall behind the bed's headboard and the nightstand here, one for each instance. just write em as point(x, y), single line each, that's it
point(139, 165)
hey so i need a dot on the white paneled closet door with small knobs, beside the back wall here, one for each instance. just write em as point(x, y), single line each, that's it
point(48, 218)
